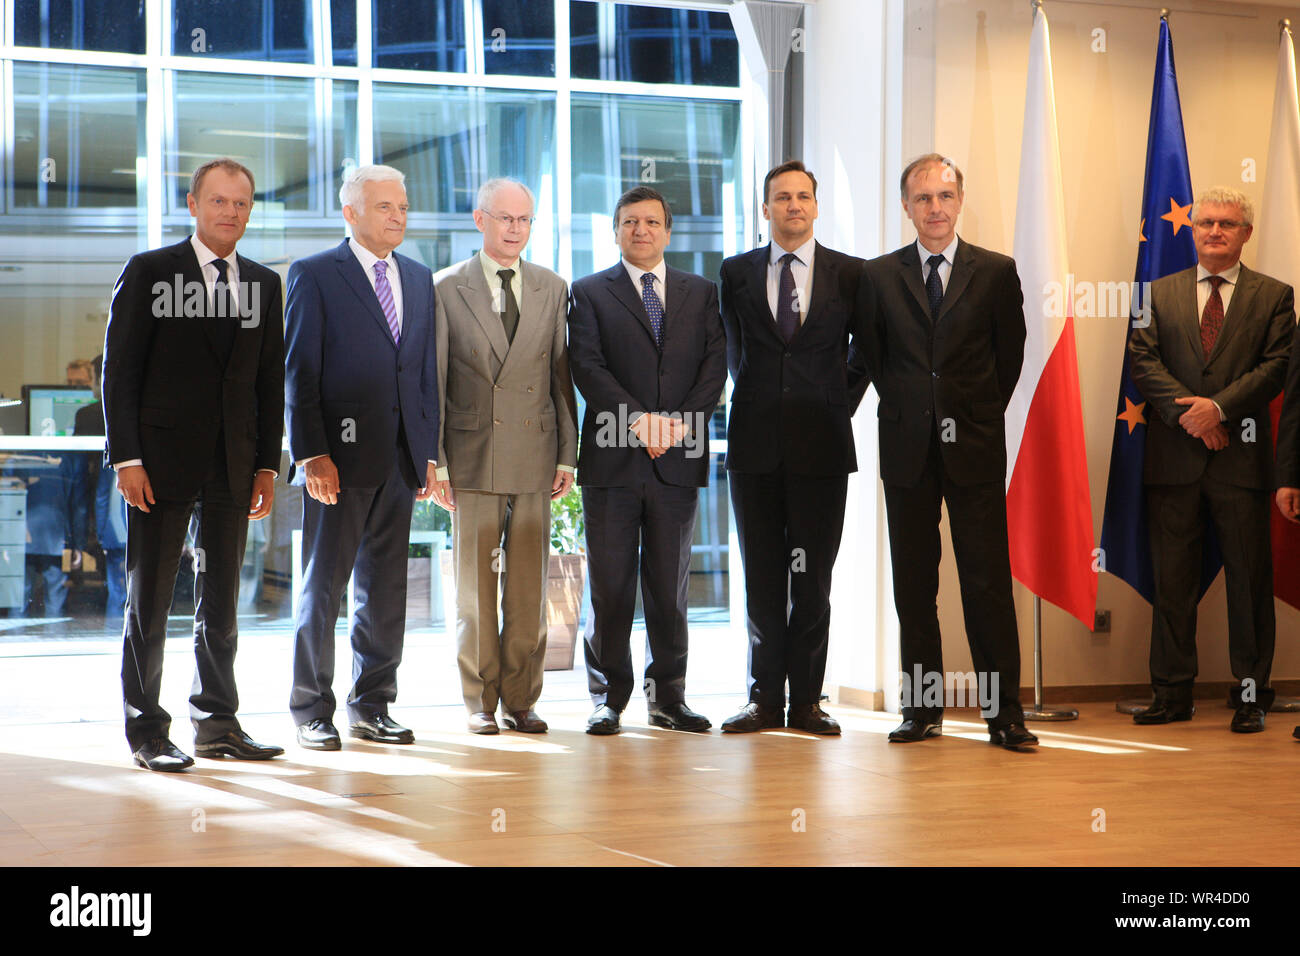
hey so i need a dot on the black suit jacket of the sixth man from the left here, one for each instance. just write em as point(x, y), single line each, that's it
point(963, 367)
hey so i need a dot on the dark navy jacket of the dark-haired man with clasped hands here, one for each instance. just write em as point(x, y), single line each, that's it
point(618, 366)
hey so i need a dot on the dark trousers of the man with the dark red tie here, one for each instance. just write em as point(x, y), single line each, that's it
point(1177, 526)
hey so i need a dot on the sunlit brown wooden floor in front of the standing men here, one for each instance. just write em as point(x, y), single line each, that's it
point(1189, 794)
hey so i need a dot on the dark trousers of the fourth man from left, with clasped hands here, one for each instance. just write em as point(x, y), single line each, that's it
point(651, 526)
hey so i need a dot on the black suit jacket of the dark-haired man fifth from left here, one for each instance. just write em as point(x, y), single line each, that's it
point(794, 404)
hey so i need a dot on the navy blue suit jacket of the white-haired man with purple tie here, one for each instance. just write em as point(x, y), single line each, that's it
point(348, 386)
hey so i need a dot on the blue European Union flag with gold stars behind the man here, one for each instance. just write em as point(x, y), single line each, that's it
point(1165, 246)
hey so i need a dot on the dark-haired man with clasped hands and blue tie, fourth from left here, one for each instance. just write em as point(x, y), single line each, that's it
point(649, 357)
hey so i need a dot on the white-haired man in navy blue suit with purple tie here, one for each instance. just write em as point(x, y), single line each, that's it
point(362, 406)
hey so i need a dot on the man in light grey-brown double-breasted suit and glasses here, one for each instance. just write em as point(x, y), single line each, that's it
point(509, 447)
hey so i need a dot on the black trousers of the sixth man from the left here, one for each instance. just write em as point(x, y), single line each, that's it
point(977, 518)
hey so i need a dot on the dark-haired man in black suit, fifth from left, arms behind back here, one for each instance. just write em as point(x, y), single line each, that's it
point(790, 310)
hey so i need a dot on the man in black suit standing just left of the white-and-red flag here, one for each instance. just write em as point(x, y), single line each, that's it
point(946, 332)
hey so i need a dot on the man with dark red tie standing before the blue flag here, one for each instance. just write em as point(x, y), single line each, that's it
point(1210, 362)
